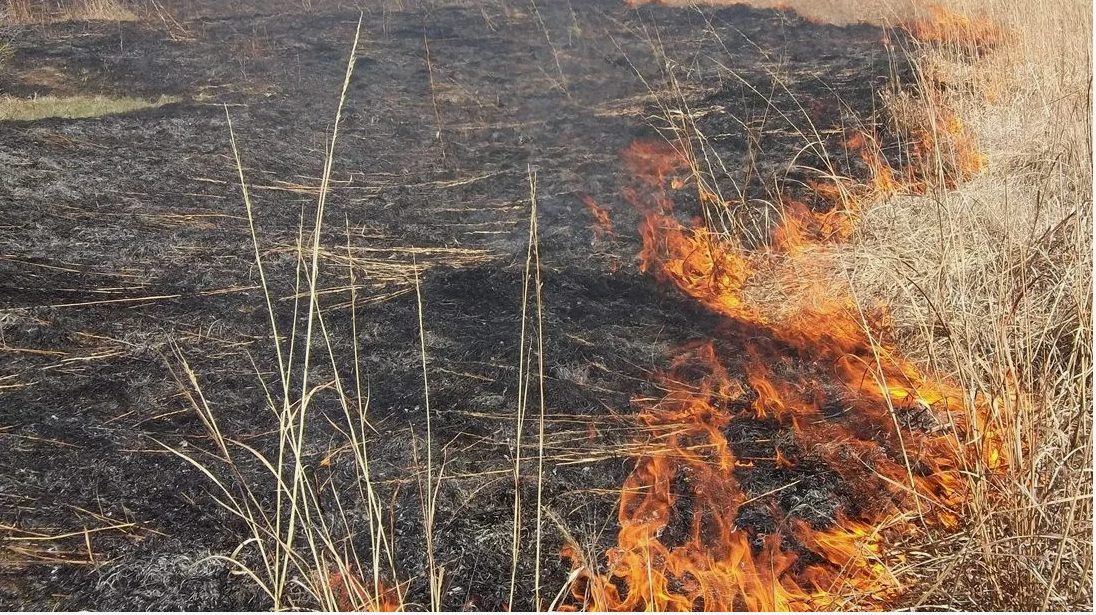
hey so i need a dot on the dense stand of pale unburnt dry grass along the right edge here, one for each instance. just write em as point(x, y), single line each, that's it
point(992, 284)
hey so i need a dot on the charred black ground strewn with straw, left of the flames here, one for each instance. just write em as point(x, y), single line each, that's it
point(127, 236)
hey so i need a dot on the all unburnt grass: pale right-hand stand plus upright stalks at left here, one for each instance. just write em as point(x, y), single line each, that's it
point(988, 283)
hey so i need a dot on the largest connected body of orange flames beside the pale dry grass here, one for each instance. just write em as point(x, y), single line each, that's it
point(700, 527)
